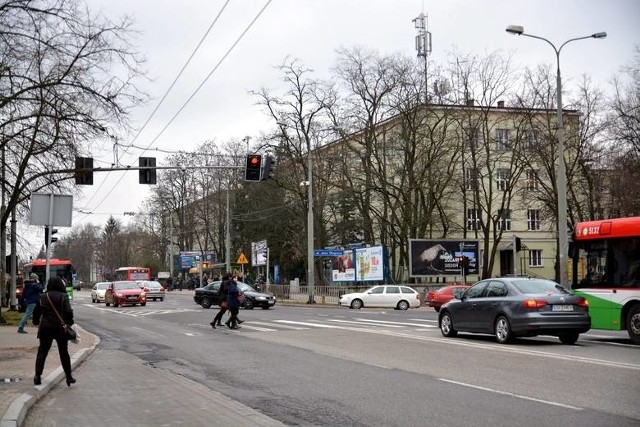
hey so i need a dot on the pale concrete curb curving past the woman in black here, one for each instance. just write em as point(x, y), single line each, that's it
point(17, 411)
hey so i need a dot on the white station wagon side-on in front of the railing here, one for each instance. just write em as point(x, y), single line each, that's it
point(397, 297)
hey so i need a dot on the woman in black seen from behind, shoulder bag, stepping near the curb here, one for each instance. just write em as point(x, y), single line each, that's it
point(54, 303)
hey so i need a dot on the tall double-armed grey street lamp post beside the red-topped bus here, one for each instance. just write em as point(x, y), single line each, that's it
point(561, 184)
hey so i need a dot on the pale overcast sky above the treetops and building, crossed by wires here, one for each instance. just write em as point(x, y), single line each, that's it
point(311, 30)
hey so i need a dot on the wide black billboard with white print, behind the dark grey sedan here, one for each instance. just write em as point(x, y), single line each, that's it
point(429, 257)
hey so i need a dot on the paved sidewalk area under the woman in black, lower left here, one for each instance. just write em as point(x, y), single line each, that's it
point(99, 373)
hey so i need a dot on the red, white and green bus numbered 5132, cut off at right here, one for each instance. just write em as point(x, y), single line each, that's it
point(606, 271)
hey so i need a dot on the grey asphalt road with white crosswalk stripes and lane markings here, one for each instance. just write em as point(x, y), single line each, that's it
point(330, 366)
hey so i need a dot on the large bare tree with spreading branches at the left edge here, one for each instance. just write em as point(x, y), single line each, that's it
point(65, 75)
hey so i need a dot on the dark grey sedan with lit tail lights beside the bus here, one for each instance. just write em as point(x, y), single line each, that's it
point(518, 306)
